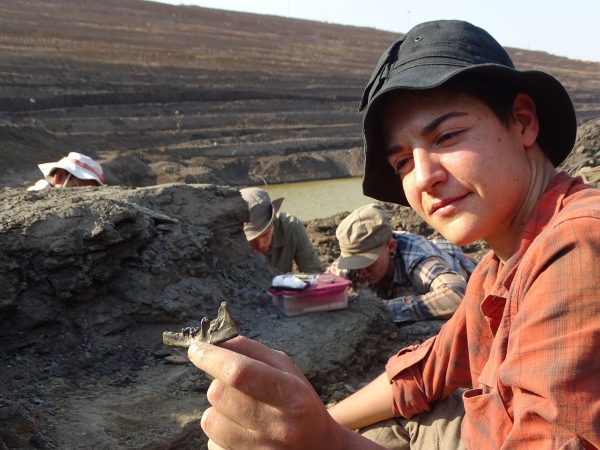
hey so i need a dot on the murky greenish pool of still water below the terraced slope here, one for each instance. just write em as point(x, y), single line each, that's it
point(309, 200)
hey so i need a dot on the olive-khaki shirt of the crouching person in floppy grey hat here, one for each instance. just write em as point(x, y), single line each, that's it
point(291, 244)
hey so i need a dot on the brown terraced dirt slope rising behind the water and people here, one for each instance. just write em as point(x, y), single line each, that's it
point(165, 93)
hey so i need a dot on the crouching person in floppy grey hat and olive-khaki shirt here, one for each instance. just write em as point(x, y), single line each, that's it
point(281, 237)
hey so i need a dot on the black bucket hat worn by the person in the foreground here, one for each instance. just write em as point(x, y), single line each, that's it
point(431, 54)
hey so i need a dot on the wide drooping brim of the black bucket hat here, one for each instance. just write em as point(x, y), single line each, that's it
point(558, 123)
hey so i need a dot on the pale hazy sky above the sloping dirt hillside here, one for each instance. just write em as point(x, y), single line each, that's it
point(565, 28)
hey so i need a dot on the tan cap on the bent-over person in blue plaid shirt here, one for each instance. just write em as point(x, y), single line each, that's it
point(362, 235)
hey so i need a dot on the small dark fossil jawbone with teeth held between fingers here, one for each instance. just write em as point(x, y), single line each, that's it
point(214, 331)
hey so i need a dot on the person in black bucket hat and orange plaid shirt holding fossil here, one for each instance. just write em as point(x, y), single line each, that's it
point(454, 131)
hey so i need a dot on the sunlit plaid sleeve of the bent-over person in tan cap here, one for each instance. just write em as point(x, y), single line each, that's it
point(444, 291)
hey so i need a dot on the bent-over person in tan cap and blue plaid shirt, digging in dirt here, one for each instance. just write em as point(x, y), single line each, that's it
point(418, 279)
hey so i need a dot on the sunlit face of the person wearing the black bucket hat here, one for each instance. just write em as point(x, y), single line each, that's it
point(463, 171)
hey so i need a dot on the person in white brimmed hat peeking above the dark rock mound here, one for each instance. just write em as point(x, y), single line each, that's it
point(74, 170)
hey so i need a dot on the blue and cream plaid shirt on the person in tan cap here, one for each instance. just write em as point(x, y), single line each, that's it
point(429, 278)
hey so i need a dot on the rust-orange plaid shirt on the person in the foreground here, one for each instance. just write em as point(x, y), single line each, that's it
point(525, 339)
